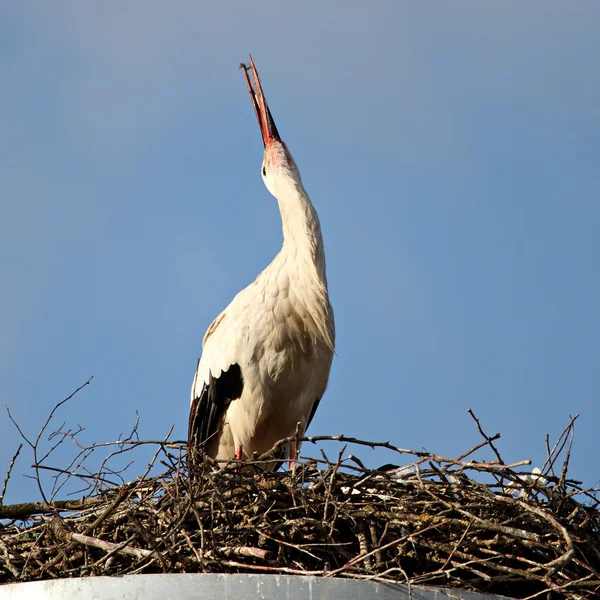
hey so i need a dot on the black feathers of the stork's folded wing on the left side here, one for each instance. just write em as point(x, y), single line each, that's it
point(209, 406)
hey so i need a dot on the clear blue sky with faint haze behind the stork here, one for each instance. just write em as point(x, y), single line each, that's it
point(451, 150)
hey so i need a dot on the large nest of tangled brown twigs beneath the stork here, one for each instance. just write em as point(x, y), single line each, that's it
point(480, 526)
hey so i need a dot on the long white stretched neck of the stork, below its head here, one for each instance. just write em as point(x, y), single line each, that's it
point(302, 238)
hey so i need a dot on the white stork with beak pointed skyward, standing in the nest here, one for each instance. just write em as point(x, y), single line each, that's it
point(266, 358)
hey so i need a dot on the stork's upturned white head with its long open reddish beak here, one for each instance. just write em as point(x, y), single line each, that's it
point(278, 168)
